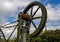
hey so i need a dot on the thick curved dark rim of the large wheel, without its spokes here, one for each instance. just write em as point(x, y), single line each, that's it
point(44, 17)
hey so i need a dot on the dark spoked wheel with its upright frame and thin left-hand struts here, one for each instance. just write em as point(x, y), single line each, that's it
point(39, 28)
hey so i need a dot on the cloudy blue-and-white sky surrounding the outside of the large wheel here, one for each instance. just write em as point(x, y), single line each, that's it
point(9, 10)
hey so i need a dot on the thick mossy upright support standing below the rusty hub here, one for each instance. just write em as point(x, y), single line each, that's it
point(21, 34)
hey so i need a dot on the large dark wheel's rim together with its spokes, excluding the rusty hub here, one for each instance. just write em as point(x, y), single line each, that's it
point(43, 18)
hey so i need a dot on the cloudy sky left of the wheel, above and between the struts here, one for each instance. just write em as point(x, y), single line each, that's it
point(9, 12)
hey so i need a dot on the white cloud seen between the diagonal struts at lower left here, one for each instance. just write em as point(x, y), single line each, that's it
point(7, 32)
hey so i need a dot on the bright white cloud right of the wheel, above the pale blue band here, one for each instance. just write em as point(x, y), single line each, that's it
point(53, 12)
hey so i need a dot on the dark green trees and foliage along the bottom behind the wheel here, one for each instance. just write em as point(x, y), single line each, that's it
point(45, 36)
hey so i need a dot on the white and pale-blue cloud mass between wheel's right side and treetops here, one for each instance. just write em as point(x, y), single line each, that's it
point(53, 21)
